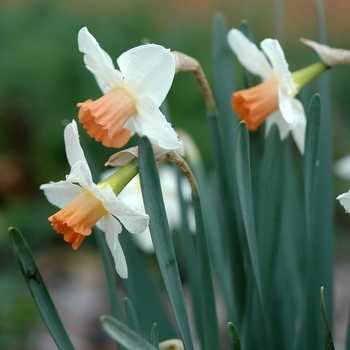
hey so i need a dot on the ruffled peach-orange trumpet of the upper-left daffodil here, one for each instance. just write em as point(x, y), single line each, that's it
point(104, 119)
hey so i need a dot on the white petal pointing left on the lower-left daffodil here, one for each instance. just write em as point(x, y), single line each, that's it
point(61, 193)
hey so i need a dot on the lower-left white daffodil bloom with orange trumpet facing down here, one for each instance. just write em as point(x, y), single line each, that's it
point(85, 204)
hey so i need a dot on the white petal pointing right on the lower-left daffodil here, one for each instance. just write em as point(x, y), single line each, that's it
point(133, 220)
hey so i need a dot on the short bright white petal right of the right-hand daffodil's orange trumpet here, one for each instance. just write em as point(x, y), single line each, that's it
point(291, 109)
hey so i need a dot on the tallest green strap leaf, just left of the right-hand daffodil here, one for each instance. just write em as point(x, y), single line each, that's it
point(222, 128)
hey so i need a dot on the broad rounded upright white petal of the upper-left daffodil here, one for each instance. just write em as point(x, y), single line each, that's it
point(148, 70)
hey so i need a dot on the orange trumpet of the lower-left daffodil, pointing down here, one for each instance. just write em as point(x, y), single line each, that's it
point(76, 219)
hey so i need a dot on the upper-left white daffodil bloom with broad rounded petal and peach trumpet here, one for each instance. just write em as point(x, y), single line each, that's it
point(132, 96)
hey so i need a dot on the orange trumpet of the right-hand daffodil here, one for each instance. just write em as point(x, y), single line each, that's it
point(255, 104)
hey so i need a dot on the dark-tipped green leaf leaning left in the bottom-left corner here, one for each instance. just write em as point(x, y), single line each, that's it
point(38, 289)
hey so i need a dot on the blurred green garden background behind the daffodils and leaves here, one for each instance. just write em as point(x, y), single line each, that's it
point(42, 77)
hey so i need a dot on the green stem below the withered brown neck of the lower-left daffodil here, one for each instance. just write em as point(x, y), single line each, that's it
point(210, 325)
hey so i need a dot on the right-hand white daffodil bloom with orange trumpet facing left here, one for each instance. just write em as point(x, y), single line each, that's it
point(274, 99)
